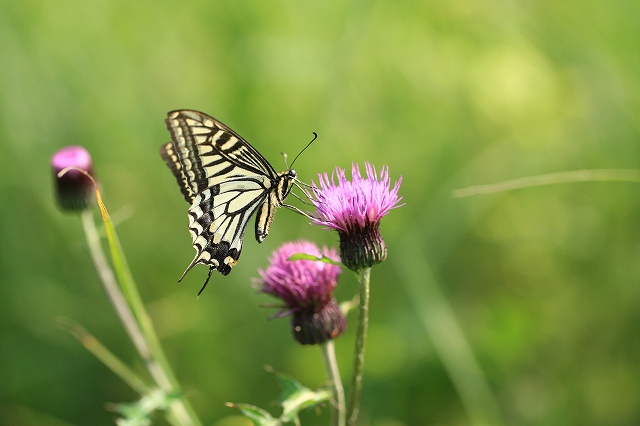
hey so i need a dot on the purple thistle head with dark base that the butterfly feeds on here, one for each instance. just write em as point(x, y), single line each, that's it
point(355, 208)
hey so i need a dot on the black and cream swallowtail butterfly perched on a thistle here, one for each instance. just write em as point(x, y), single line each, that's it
point(226, 181)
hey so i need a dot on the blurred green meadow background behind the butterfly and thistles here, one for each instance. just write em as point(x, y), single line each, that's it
point(541, 284)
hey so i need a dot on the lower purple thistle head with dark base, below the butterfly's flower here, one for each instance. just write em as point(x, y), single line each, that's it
point(306, 288)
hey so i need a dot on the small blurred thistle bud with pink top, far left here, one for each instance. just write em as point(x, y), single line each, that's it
point(74, 190)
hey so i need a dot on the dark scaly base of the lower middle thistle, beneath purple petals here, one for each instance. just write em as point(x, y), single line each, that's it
point(313, 328)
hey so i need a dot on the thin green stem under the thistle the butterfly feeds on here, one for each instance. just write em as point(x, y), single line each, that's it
point(353, 402)
